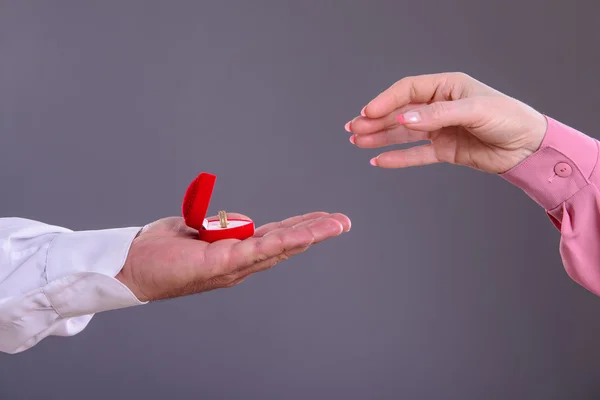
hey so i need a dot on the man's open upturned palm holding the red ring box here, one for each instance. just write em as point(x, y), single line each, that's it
point(167, 260)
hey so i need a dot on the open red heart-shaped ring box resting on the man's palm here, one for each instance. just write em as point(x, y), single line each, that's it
point(195, 207)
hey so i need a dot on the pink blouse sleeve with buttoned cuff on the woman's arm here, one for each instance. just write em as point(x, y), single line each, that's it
point(562, 178)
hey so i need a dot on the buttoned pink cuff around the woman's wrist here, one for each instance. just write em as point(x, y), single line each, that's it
point(559, 169)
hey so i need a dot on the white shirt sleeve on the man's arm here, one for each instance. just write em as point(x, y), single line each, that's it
point(53, 280)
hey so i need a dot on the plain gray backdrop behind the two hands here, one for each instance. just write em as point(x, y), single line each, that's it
point(108, 109)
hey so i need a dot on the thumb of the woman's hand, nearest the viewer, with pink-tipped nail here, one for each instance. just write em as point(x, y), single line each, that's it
point(463, 112)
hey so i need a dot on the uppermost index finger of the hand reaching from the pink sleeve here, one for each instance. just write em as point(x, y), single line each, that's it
point(418, 89)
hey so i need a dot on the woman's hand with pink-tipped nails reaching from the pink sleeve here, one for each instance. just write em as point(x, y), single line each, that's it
point(465, 121)
